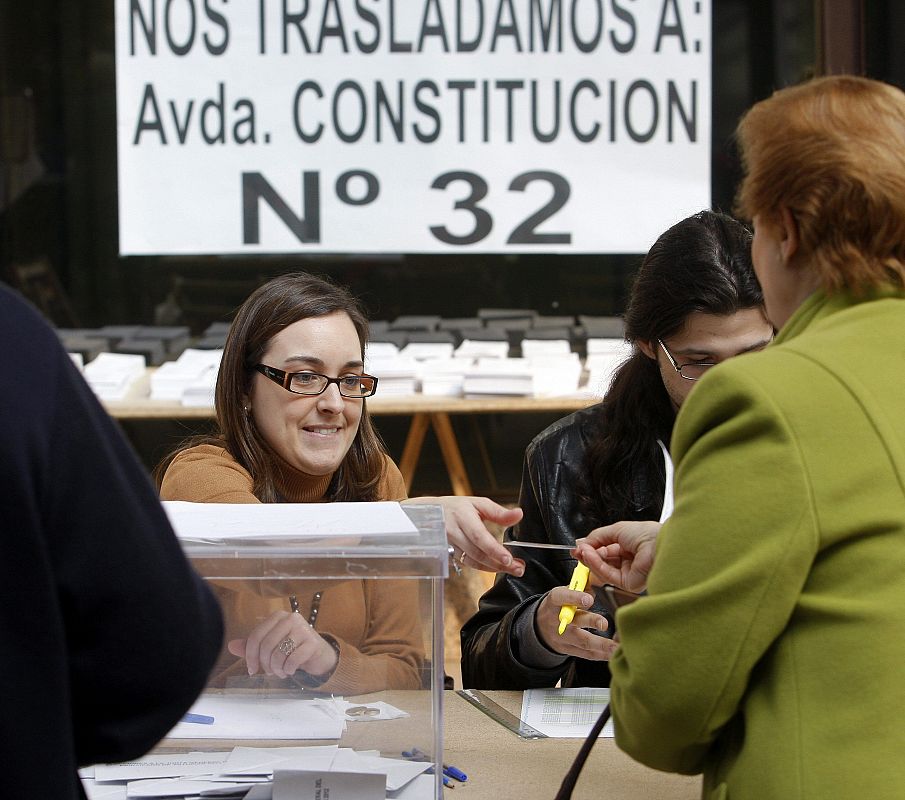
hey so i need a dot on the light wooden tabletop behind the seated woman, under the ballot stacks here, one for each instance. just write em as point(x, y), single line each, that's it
point(138, 404)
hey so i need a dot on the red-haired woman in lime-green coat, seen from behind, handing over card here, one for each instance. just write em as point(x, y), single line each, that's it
point(769, 652)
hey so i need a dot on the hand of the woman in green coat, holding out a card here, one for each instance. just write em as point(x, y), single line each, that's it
point(621, 554)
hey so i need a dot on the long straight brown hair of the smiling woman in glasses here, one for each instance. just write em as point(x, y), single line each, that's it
point(272, 307)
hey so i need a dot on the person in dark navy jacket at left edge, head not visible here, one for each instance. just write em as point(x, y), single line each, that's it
point(108, 634)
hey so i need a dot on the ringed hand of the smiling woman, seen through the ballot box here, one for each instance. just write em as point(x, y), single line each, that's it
point(284, 643)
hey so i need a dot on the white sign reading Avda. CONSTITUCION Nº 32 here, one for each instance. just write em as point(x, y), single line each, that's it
point(277, 126)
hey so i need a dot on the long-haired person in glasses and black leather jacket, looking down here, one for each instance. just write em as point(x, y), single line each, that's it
point(694, 302)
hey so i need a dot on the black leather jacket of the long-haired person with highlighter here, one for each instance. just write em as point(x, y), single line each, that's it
point(554, 462)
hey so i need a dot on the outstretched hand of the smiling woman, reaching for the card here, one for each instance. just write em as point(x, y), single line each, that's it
point(476, 546)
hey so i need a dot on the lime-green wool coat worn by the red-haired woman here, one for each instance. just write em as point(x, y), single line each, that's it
point(770, 652)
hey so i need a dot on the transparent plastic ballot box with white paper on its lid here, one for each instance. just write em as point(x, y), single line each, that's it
point(354, 586)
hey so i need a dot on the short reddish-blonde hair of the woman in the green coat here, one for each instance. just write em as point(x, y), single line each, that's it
point(832, 151)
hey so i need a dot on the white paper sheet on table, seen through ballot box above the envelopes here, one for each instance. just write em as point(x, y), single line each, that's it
point(250, 717)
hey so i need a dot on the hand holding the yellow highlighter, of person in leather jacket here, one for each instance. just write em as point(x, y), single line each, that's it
point(575, 641)
